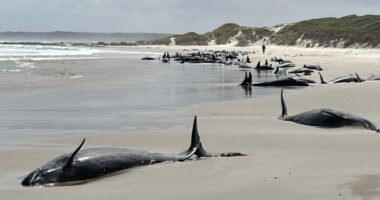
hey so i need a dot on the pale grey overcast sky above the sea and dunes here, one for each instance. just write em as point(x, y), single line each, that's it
point(167, 16)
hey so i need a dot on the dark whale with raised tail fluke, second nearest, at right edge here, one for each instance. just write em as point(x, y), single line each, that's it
point(326, 117)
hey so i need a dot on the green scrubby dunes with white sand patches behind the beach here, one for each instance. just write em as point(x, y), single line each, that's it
point(348, 31)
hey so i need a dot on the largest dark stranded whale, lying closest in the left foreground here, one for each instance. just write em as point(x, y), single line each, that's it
point(84, 165)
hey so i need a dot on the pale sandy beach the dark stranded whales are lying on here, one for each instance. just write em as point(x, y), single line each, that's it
point(284, 160)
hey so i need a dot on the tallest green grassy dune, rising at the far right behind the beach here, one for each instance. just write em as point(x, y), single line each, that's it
point(329, 32)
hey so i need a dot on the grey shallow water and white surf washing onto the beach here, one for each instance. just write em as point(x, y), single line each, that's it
point(50, 91)
